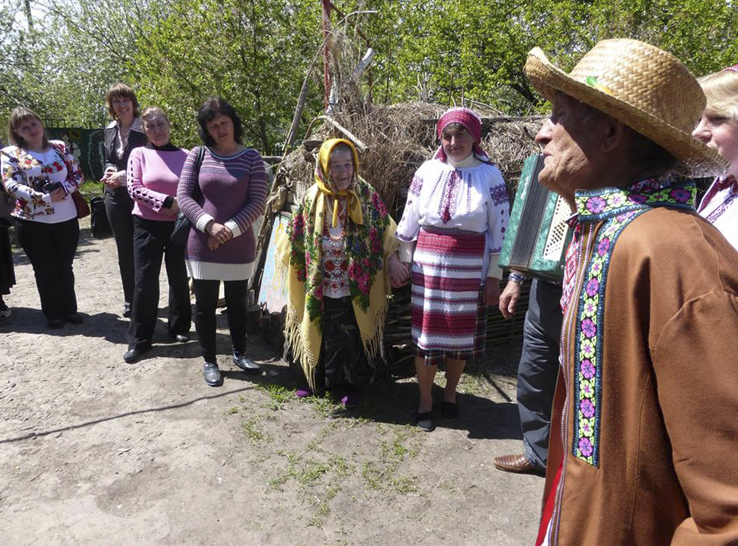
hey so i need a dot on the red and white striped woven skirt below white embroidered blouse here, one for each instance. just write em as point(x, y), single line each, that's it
point(448, 314)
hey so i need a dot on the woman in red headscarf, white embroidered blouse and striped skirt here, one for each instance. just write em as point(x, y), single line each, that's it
point(451, 232)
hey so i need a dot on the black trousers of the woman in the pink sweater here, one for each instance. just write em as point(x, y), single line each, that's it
point(151, 242)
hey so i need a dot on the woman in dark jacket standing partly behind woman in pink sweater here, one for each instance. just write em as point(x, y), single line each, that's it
point(122, 135)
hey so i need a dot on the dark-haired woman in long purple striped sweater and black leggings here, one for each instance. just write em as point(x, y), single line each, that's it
point(222, 246)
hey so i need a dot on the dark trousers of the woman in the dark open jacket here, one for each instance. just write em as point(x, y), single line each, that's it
point(118, 207)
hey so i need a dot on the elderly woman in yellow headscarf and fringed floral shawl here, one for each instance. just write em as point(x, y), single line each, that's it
point(340, 252)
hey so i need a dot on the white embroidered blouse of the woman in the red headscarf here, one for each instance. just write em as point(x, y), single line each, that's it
point(468, 195)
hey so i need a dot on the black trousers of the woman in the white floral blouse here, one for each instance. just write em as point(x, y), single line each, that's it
point(50, 249)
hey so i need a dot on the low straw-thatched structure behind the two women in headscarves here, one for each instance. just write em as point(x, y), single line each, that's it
point(393, 141)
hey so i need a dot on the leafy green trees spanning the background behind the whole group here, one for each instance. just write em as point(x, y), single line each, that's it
point(257, 53)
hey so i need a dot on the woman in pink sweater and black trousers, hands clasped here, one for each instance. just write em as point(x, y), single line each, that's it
point(153, 175)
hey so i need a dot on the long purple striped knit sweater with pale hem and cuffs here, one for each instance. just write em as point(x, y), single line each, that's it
point(234, 192)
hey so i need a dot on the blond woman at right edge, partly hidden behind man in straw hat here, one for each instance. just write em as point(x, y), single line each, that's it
point(718, 128)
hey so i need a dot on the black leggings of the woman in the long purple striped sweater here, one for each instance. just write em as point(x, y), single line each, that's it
point(206, 301)
